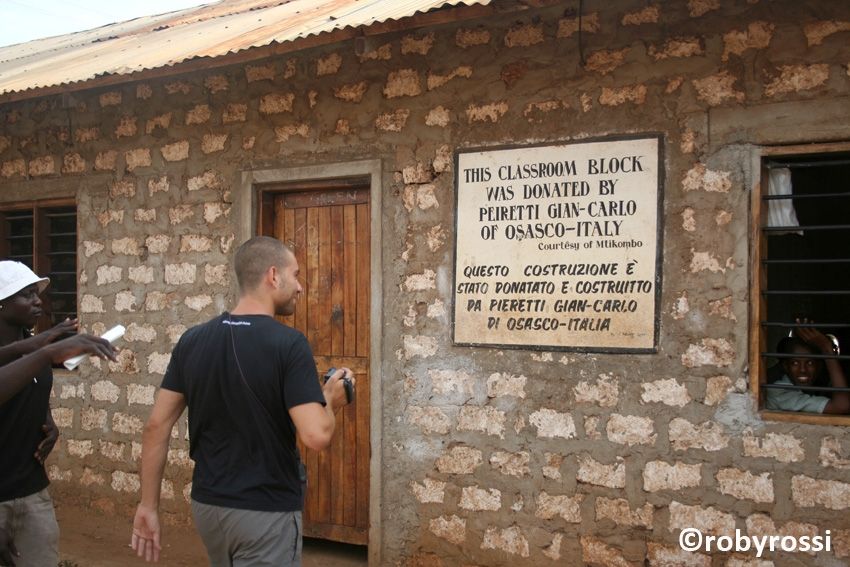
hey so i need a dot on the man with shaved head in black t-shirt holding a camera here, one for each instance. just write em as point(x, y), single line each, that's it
point(250, 384)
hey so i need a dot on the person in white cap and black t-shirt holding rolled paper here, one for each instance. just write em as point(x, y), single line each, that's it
point(29, 534)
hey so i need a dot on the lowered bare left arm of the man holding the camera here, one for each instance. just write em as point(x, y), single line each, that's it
point(166, 410)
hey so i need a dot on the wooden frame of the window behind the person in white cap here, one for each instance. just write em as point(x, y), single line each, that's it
point(40, 209)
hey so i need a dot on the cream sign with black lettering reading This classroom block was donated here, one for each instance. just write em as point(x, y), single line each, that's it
point(557, 246)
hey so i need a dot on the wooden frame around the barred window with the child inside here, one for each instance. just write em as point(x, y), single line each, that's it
point(758, 282)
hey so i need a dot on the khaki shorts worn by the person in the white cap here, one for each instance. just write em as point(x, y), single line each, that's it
point(31, 522)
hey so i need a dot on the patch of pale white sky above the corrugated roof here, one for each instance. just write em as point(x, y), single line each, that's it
point(25, 20)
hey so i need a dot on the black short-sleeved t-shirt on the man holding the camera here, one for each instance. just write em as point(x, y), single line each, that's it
point(240, 374)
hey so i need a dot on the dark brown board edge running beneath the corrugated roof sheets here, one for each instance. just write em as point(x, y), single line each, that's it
point(460, 12)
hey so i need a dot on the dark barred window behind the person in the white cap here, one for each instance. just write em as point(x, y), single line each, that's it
point(44, 237)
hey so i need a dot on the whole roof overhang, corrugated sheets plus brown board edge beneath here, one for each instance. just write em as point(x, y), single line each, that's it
point(216, 35)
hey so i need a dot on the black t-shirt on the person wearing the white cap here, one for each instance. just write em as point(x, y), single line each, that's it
point(21, 419)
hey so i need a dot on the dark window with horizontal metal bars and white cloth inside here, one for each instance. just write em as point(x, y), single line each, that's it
point(803, 280)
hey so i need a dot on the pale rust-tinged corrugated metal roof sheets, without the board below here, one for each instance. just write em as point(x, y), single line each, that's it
point(211, 30)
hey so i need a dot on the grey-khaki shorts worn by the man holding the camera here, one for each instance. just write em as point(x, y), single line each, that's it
point(238, 538)
